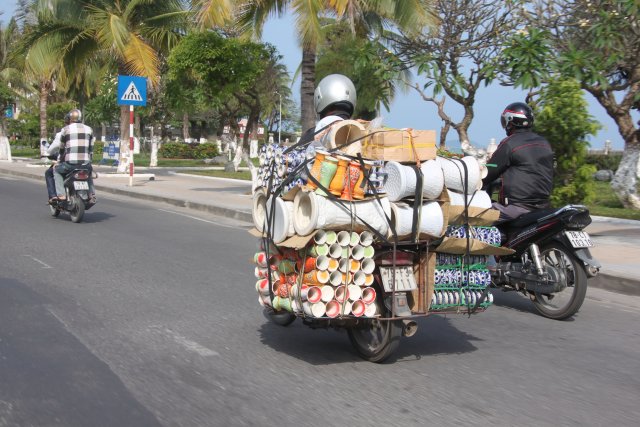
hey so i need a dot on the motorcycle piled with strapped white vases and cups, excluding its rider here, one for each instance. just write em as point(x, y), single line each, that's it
point(370, 231)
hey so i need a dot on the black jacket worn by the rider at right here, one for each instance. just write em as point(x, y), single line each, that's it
point(524, 160)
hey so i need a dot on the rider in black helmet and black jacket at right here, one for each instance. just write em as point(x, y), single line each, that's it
point(524, 161)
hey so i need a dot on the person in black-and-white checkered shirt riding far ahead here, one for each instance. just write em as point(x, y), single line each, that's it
point(76, 148)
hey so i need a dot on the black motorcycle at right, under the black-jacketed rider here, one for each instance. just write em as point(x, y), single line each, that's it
point(551, 260)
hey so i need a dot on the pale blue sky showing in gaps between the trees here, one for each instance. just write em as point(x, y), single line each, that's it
point(408, 109)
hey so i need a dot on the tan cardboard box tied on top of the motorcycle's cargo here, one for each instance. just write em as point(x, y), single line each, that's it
point(406, 145)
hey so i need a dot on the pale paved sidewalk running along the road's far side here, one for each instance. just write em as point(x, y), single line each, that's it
point(617, 241)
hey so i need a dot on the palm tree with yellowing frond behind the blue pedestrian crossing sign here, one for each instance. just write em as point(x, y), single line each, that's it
point(133, 34)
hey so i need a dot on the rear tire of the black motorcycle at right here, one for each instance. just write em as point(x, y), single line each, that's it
point(564, 304)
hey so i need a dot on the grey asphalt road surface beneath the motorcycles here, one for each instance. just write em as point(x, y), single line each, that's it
point(147, 315)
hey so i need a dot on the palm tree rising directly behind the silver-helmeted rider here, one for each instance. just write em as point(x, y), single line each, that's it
point(364, 17)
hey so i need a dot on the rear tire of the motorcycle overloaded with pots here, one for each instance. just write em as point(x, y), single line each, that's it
point(376, 340)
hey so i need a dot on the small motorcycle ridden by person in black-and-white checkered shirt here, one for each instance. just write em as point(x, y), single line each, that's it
point(76, 185)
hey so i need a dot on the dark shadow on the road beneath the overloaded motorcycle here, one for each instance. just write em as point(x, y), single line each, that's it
point(436, 335)
